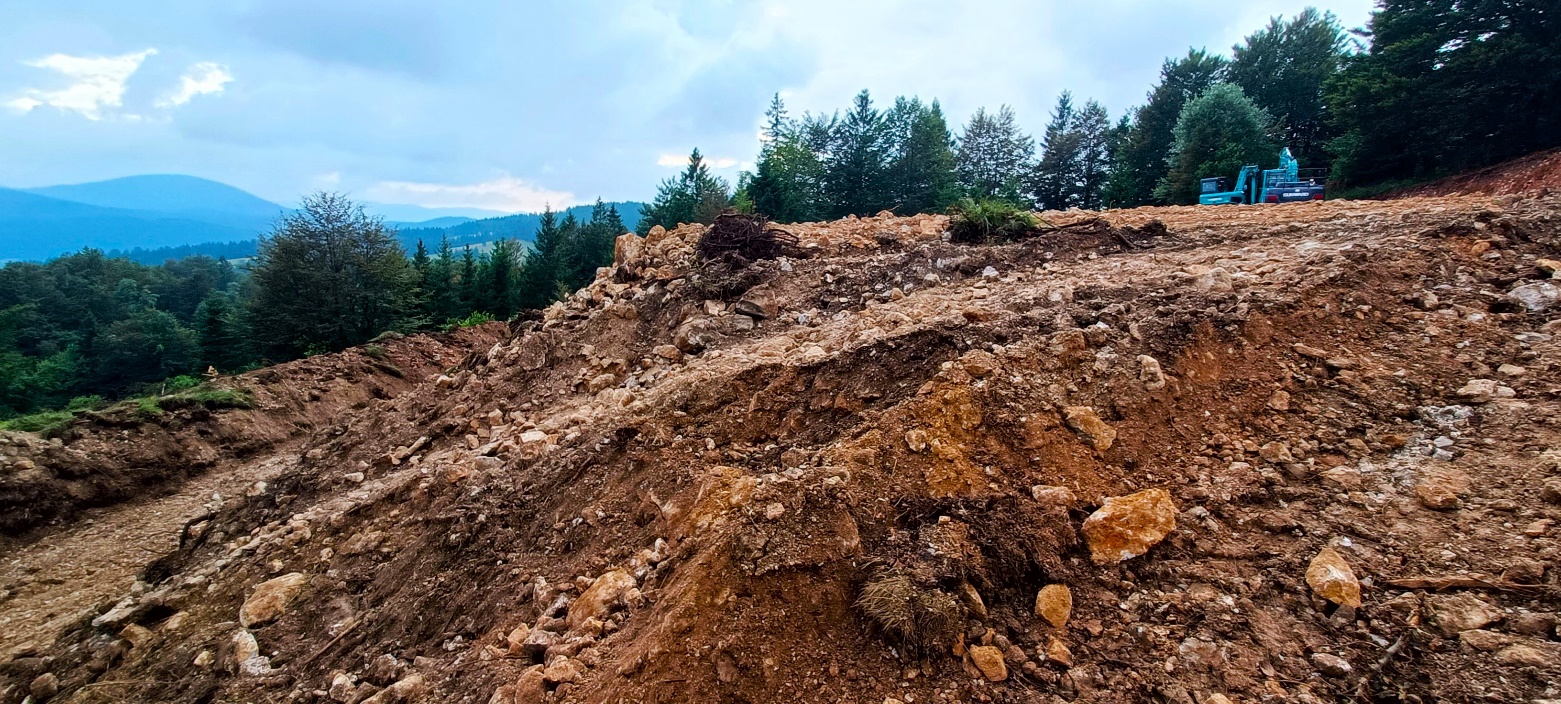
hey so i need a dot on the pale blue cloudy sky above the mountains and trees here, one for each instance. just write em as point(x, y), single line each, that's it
point(514, 105)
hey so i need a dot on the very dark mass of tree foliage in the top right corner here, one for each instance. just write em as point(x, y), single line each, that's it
point(1446, 87)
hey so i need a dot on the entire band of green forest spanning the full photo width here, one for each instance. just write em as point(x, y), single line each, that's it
point(1429, 88)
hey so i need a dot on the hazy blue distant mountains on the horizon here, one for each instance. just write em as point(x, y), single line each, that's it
point(168, 216)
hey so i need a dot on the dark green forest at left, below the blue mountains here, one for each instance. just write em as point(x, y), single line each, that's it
point(90, 327)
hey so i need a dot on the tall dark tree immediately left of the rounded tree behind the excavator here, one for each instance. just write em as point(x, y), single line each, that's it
point(1142, 162)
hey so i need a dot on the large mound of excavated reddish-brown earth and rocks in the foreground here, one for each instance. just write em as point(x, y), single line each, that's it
point(1195, 455)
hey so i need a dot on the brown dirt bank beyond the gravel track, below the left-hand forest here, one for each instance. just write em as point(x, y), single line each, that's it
point(105, 458)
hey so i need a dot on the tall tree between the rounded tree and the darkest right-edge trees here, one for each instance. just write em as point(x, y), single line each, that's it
point(1284, 69)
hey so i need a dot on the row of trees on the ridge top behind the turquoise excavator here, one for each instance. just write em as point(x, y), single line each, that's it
point(1429, 88)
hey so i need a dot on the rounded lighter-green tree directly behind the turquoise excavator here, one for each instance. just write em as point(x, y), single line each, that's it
point(1217, 135)
